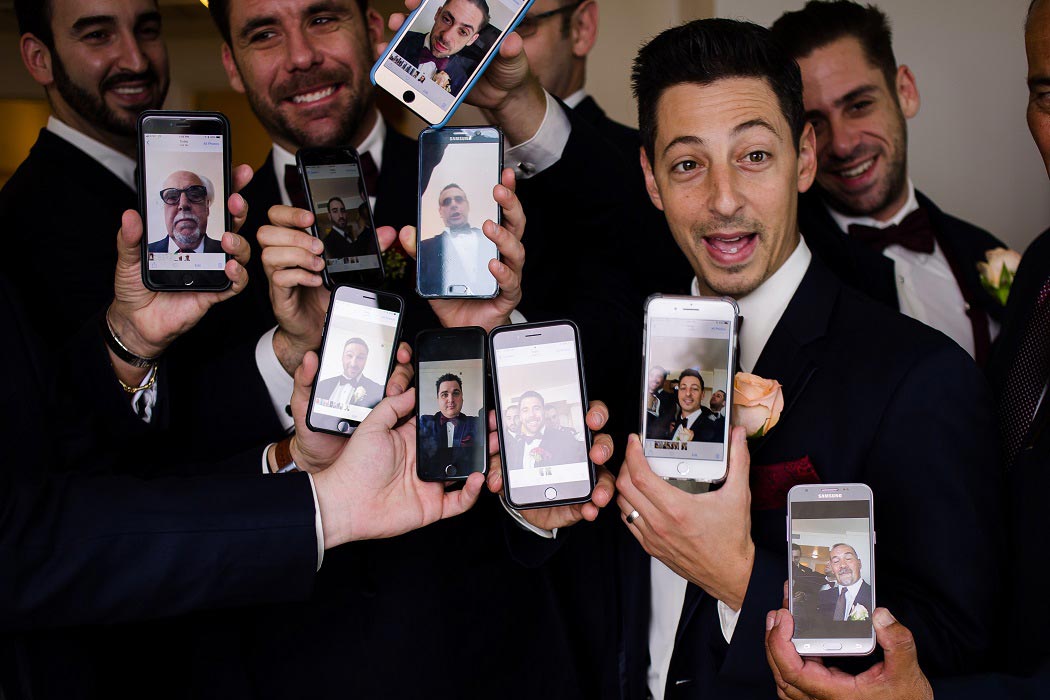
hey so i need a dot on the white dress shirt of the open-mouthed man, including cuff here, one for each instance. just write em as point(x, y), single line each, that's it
point(762, 311)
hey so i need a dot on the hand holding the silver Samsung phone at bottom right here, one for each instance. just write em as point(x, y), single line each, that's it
point(898, 677)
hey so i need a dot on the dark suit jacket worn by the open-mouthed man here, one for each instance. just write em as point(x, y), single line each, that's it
point(936, 492)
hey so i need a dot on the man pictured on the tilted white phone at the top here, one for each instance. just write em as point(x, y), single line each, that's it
point(457, 25)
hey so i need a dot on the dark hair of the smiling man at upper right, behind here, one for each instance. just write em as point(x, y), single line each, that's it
point(821, 24)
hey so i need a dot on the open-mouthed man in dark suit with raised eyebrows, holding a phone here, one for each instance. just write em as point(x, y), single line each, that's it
point(727, 152)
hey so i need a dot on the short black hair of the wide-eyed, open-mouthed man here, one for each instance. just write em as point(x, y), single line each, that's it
point(707, 51)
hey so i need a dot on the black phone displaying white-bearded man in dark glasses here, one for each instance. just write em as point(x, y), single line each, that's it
point(184, 183)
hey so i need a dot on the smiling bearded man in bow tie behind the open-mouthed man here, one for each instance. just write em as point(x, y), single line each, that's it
point(865, 219)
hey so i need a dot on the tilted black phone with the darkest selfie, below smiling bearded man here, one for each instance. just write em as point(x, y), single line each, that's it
point(343, 217)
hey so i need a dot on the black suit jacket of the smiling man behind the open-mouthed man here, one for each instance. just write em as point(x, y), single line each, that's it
point(873, 273)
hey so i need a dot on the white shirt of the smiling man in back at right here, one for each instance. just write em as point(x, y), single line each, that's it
point(927, 289)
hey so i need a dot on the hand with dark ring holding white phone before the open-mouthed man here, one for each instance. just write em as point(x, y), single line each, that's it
point(704, 538)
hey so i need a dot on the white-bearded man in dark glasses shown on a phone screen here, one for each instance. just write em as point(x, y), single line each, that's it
point(186, 198)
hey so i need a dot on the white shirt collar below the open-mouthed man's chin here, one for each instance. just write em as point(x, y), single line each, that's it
point(762, 310)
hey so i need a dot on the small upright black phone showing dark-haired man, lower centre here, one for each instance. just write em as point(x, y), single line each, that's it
point(453, 438)
